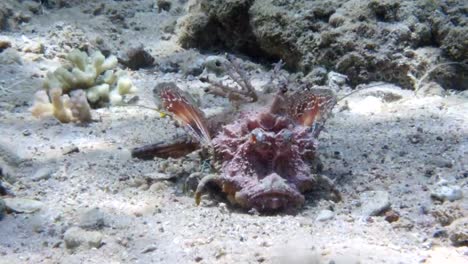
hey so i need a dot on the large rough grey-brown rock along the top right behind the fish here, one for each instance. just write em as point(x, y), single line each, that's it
point(367, 40)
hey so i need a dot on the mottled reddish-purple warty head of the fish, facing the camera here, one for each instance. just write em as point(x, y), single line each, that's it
point(264, 161)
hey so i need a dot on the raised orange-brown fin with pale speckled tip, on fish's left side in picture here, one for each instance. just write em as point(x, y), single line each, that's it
point(185, 111)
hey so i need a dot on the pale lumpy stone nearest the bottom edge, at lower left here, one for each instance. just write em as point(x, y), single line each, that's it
point(76, 237)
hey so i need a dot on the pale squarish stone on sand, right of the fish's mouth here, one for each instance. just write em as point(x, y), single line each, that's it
point(374, 203)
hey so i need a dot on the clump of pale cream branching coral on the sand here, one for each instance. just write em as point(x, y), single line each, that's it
point(86, 81)
